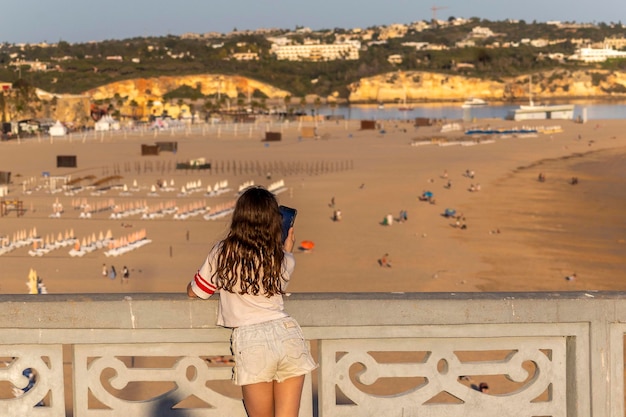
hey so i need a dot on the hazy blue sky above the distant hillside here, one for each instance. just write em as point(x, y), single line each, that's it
point(84, 20)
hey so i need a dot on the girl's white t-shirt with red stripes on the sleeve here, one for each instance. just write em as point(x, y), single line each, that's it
point(236, 309)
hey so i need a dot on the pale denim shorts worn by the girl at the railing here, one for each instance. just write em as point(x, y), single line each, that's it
point(273, 350)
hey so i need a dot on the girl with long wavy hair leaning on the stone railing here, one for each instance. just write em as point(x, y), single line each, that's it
point(250, 269)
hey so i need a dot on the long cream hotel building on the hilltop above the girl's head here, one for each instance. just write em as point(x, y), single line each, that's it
point(317, 52)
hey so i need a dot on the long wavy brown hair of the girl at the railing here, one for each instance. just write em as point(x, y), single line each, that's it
point(252, 253)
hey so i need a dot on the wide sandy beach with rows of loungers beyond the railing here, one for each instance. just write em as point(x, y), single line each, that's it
point(521, 234)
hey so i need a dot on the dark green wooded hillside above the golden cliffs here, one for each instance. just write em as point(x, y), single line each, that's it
point(82, 66)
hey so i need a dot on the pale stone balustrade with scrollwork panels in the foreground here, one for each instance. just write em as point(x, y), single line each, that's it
point(391, 355)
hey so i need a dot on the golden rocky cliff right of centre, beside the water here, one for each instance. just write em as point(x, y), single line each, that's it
point(424, 86)
